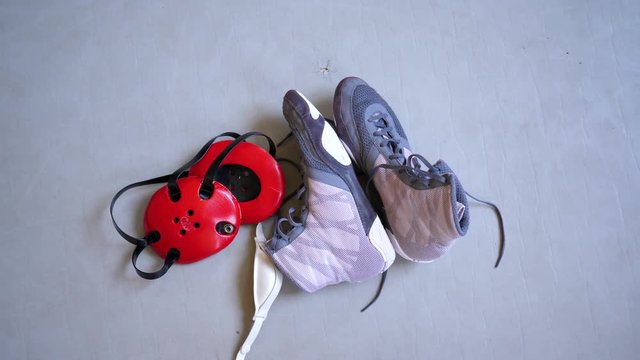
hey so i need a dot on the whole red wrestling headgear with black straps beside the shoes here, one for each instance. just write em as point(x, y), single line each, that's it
point(193, 217)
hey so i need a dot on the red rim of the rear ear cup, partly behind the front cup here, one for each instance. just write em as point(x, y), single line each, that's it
point(252, 174)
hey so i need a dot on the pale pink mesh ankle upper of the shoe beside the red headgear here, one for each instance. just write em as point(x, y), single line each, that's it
point(333, 246)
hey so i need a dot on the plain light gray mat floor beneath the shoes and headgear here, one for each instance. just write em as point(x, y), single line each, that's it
point(535, 104)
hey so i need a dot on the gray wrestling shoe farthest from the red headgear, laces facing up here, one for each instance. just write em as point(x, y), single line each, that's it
point(425, 205)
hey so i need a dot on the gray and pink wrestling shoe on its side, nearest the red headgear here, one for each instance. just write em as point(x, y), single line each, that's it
point(337, 235)
